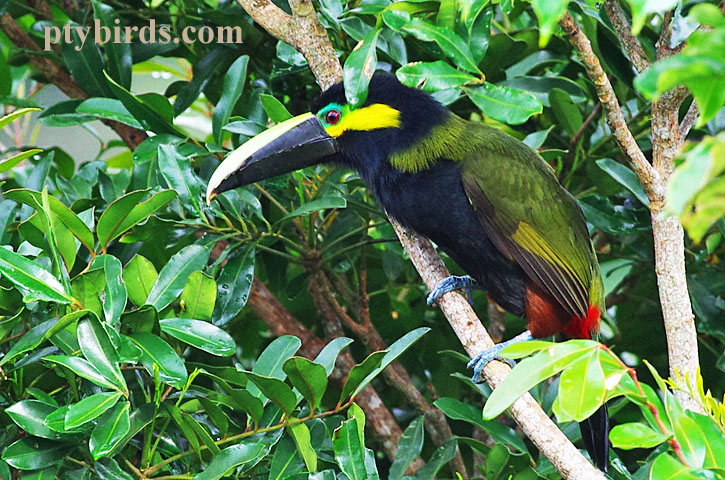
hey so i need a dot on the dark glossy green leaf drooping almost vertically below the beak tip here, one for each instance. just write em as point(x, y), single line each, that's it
point(234, 285)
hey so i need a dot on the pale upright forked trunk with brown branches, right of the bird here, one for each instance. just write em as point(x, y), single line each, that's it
point(667, 231)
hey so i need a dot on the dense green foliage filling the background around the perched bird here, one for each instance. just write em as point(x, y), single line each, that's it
point(315, 242)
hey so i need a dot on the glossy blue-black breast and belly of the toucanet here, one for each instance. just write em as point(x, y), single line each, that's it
point(433, 203)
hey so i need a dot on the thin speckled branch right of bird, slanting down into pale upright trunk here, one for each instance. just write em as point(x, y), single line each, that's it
point(615, 118)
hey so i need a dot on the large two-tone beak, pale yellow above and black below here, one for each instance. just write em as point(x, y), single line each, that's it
point(291, 145)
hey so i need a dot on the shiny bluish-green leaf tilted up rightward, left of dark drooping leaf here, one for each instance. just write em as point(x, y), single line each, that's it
point(172, 278)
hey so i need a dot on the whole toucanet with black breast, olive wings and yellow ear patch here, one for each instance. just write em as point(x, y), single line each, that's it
point(485, 198)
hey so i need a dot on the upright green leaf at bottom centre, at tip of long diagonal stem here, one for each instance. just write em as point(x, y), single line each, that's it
point(349, 445)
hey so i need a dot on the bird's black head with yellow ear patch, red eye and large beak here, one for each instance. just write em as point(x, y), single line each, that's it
point(392, 119)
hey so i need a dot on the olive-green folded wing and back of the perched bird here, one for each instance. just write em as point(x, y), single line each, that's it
point(532, 219)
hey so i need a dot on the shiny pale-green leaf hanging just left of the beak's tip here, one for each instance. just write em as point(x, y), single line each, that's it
point(180, 176)
